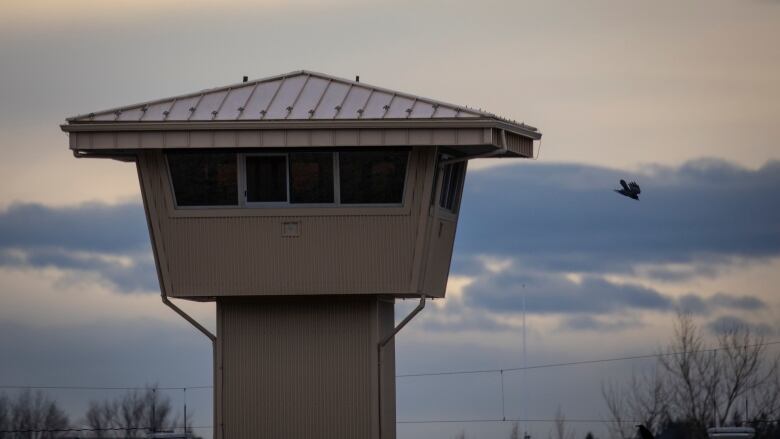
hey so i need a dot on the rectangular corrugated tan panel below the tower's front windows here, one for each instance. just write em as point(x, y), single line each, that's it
point(248, 255)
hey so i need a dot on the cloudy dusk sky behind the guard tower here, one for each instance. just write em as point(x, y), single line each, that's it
point(682, 96)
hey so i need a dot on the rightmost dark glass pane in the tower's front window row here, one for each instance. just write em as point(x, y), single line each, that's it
point(372, 176)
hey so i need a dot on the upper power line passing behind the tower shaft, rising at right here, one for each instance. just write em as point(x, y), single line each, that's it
point(424, 374)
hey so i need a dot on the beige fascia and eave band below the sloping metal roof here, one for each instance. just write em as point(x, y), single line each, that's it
point(468, 137)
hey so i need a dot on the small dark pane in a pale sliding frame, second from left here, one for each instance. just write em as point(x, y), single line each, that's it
point(266, 179)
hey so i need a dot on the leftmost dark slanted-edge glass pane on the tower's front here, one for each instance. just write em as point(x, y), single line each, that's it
point(204, 179)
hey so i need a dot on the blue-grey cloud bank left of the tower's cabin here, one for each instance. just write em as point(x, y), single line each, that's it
point(110, 241)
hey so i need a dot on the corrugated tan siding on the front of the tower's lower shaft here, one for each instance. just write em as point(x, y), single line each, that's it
point(300, 367)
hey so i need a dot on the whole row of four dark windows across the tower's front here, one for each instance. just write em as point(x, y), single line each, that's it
point(310, 178)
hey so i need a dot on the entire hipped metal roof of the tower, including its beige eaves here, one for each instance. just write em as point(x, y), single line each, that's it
point(299, 109)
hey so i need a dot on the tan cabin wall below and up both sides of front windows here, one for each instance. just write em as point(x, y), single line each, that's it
point(222, 255)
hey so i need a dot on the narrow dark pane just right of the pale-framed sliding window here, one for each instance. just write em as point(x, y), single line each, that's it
point(311, 177)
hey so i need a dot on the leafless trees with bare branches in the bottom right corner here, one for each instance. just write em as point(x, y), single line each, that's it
point(698, 387)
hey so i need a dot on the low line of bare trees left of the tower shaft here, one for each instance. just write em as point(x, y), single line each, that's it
point(134, 414)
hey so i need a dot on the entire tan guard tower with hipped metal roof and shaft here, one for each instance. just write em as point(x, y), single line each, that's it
point(304, 205)
